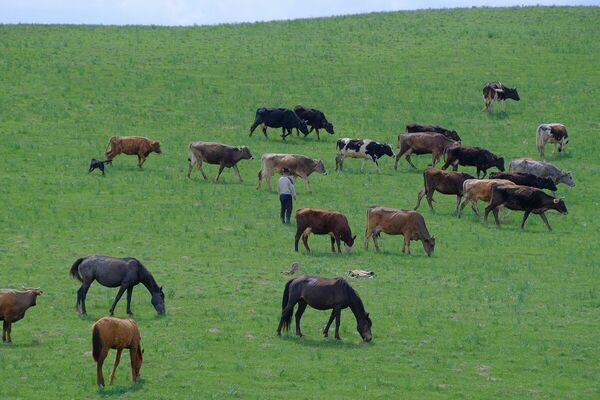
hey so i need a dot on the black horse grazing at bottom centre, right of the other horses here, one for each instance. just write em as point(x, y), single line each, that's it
point(323, 294)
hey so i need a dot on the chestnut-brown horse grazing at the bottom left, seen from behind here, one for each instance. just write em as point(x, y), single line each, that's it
point(114, 333)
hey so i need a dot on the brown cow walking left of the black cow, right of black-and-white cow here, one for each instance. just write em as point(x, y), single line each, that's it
point(435, 144)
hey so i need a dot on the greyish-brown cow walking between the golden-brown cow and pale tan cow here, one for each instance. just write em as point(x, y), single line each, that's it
point(217, 153)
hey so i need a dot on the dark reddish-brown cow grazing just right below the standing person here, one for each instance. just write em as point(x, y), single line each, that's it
point(323, 222)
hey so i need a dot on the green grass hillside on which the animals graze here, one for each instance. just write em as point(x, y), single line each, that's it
point(494, 313)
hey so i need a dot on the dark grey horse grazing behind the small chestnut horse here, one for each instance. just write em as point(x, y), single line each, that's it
point(124, 273)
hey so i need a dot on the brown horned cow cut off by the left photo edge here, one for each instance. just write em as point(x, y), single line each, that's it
point(13, 304)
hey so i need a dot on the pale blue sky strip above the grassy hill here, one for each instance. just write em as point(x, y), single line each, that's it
point(212, 12)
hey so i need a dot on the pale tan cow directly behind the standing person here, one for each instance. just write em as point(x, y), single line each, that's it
point(298, 165)
